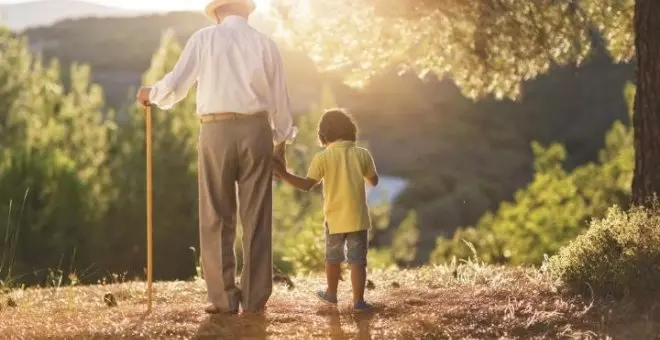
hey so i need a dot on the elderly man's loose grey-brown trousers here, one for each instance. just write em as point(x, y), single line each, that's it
point(236, 154)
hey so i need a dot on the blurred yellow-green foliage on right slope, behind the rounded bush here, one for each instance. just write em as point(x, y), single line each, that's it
point(553, 208)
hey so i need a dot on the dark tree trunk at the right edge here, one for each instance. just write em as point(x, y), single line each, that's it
point(646, 182)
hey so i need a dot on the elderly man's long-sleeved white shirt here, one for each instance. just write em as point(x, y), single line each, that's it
point(237, 68)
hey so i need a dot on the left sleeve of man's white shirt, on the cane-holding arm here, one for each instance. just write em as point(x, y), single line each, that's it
point(175, 85)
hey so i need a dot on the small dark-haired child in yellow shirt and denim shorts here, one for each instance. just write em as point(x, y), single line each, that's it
point(343, 167)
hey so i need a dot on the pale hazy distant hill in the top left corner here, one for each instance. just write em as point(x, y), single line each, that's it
point(20, 16)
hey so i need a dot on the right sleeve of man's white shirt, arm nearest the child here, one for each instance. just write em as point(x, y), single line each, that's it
point(280, 106)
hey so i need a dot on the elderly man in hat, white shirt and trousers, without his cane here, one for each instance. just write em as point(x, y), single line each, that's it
point(243, 106)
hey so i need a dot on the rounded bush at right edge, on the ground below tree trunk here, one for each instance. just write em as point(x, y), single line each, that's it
point(619, 255)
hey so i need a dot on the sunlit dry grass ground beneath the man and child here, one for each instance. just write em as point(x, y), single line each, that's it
point(469, 301)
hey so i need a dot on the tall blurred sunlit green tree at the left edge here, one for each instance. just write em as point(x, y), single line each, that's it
point(54, 150)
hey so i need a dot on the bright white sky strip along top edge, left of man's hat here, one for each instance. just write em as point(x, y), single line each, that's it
point(158, 5)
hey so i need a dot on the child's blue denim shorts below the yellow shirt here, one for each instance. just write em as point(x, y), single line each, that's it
point(349, 247)
